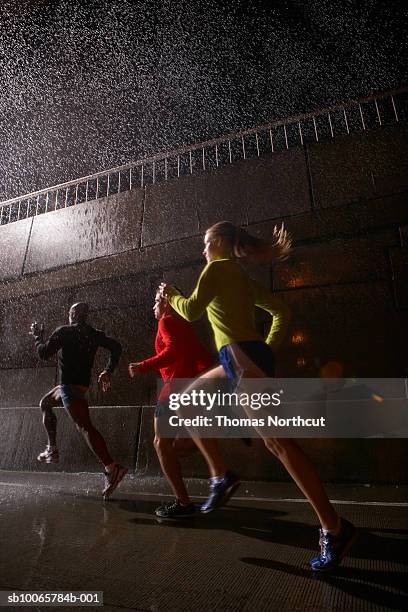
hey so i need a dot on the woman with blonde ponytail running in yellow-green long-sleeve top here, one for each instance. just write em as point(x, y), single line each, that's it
point(229, 296)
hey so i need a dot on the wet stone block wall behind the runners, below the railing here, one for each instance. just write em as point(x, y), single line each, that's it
point(345, 203)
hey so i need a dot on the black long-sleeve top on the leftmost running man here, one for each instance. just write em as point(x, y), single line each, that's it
point(76, 347)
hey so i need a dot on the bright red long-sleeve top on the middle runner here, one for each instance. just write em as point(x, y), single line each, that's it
point(179, 353)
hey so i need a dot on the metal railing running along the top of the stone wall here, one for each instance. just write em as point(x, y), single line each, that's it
point(342, 119)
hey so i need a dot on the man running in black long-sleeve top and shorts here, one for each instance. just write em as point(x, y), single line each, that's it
point(76, 345)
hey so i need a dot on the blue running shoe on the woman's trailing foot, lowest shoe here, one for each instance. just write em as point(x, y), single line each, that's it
point(334, 548)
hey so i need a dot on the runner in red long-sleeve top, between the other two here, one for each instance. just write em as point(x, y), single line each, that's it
point(179, 354)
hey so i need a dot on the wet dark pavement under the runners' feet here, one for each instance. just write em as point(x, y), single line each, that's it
point(56, 534)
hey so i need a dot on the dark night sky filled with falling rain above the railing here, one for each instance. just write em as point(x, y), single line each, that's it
point(86, 88)
